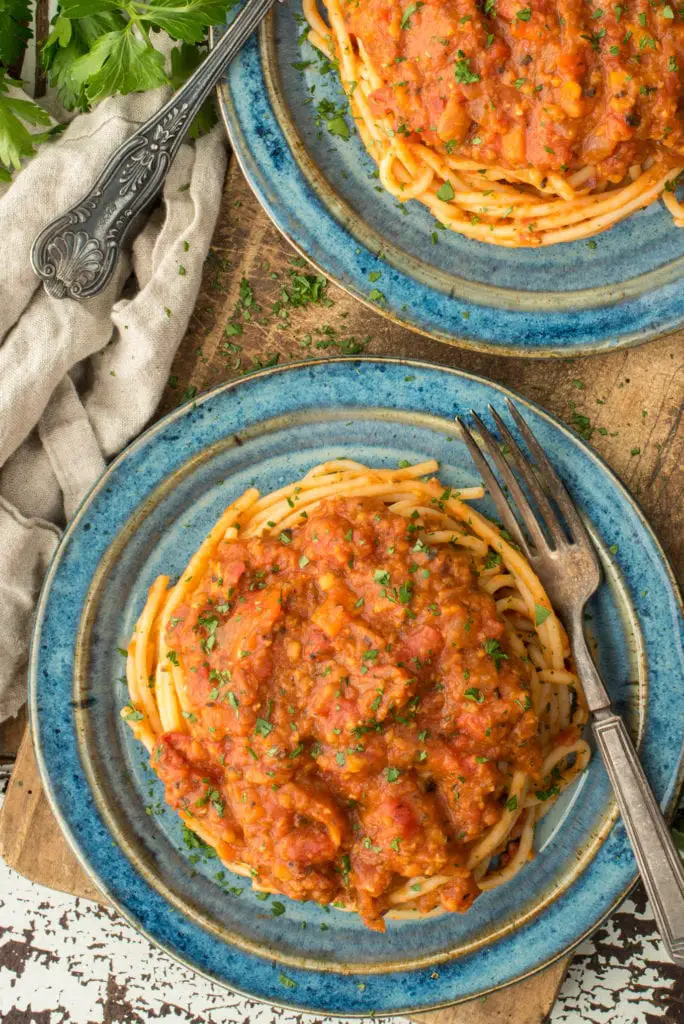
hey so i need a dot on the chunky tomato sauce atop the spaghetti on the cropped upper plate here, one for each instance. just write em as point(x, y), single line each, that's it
point(558, 86)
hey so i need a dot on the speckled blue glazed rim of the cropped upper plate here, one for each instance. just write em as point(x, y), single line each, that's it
point(268, 158)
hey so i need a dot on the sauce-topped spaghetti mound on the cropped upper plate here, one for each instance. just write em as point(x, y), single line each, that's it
point(517, 122)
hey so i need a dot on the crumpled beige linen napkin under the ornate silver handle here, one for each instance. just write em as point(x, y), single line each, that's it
point(78, 380)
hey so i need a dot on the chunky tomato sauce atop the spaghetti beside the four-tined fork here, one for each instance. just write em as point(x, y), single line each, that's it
point(353, 698)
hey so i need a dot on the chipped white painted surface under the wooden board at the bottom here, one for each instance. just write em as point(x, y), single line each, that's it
point(67, 961)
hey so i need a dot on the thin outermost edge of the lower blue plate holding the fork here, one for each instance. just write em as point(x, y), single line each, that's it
point(34, 658)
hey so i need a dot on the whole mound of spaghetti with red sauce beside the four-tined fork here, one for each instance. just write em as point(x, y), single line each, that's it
point(359, 694)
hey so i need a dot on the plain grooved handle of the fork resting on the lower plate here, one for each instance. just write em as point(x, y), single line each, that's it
point(660, 864)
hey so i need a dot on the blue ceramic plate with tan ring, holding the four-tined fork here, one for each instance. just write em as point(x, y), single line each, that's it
point(149, 514)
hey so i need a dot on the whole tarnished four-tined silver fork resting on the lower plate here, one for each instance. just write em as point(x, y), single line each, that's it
point(571, 573)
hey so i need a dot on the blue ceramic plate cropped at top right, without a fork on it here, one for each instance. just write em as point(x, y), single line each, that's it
point(621, 289)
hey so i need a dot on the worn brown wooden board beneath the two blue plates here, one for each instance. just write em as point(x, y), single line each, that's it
point(632, 400)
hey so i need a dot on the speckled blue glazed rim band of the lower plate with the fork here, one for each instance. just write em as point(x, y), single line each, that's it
point(56, 738)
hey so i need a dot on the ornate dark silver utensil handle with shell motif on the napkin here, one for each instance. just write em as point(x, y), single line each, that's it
point(76, 254)
